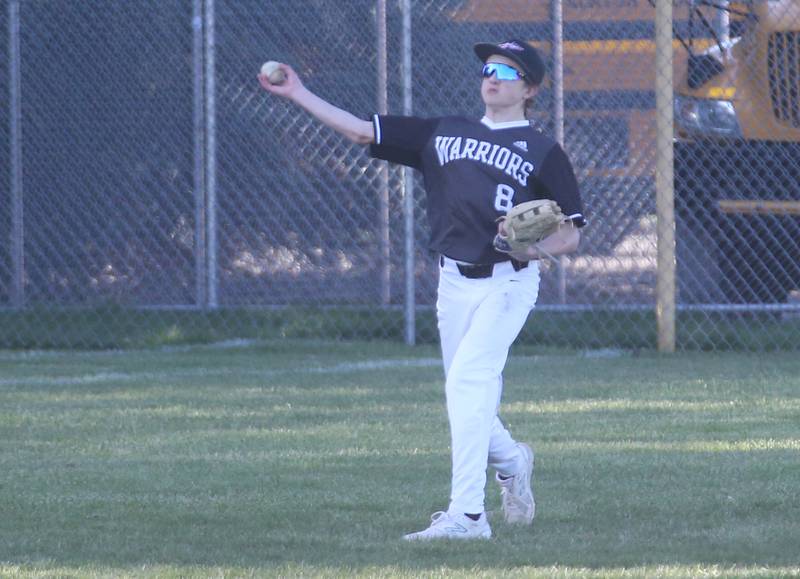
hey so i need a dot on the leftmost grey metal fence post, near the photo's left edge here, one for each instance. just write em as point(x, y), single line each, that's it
point(17, 207)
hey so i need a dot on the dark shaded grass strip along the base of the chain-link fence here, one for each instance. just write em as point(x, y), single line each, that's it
point(114, 326)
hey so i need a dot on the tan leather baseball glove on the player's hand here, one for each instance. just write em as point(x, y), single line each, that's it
point(528, 223)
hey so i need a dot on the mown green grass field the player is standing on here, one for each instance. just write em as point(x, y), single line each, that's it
point(311, 459)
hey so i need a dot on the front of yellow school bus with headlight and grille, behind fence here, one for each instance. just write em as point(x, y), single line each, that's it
point(737, 146)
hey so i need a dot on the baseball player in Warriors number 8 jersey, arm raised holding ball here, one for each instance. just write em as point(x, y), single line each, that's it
point(475, 171)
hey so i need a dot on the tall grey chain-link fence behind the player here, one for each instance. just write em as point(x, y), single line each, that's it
point(152, 192)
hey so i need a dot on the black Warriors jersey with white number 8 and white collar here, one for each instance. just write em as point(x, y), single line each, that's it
point(474, 172)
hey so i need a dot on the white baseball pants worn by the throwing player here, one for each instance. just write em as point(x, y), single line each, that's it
point(478, 320)
